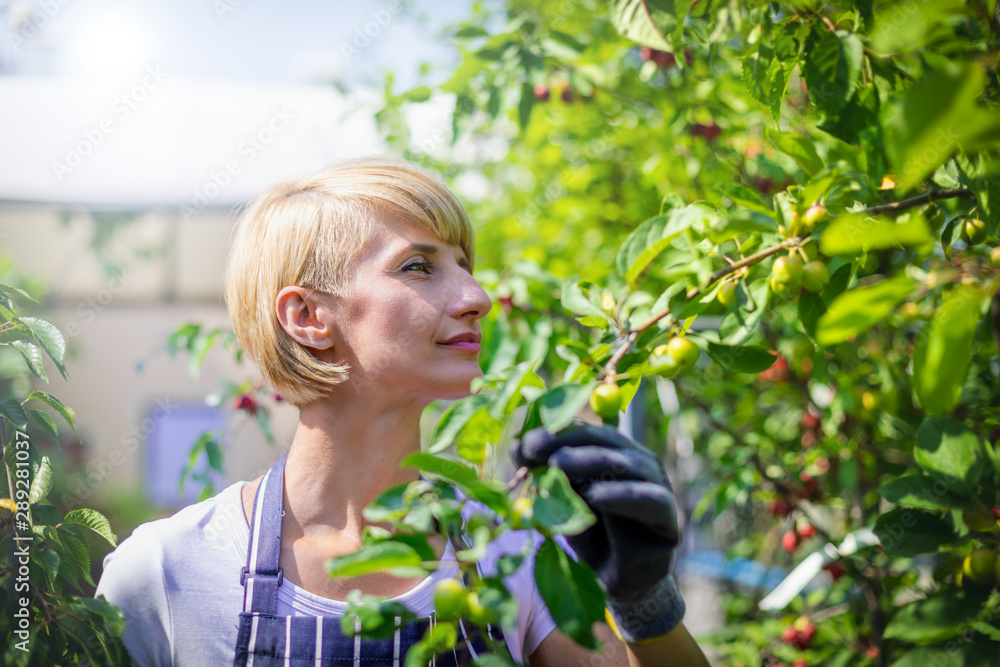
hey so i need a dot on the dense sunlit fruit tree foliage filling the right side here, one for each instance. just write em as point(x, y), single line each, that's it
point(807, 192)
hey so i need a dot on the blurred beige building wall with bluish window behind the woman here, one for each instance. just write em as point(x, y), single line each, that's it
point(157, 273)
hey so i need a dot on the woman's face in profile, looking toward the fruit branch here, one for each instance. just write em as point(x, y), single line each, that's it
point(410, 296)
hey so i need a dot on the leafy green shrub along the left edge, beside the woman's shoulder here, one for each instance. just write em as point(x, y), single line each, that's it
point(45, 616)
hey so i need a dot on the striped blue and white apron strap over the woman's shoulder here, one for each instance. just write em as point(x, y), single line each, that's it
point(261, 576)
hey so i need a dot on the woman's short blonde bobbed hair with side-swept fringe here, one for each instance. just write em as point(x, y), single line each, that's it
point(309, 232)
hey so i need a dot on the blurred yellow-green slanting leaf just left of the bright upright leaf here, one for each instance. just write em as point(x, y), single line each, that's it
point(855, 311)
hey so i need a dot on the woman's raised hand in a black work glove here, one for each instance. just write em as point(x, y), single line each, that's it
point(630, 547)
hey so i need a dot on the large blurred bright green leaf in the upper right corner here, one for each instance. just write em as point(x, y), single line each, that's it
point(927, 123)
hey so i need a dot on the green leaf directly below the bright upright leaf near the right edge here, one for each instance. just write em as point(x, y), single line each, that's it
point(947, 449)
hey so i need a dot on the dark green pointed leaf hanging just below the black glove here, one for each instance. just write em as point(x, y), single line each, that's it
point(571, 593)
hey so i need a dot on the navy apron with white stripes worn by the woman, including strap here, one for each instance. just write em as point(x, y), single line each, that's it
point(268, 640)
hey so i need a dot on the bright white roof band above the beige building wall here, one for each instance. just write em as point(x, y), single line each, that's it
point(154, 139)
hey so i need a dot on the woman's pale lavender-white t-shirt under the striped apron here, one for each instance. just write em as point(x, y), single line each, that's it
point(177, 582)
